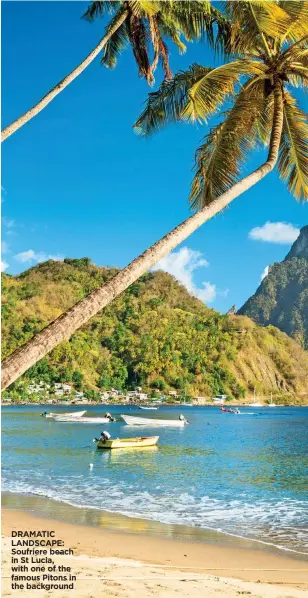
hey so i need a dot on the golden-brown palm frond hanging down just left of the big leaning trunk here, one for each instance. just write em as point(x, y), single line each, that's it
point(219, 159)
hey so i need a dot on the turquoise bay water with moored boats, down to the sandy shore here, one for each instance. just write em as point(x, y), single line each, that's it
point(243, 475)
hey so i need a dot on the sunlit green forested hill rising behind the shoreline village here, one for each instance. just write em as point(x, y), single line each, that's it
point(154, 335)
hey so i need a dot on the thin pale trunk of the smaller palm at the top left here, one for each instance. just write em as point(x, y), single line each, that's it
point(24, 118)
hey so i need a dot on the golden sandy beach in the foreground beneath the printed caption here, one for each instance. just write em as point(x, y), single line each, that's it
point(126, 565)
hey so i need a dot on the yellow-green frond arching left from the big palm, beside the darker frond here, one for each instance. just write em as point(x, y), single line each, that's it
point(208, 94)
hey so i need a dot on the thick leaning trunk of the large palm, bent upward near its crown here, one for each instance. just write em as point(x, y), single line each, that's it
point(64, 326)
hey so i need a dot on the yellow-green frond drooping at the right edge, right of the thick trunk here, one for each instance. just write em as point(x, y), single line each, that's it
point(293, 153)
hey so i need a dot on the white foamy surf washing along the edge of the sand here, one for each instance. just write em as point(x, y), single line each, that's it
point(278, 524)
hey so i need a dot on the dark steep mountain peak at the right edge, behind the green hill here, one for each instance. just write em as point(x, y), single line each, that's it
point(282, 297)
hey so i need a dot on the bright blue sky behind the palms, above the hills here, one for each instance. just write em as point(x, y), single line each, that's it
point(78, 182)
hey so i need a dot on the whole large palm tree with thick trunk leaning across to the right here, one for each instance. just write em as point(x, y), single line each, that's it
point(271, 58)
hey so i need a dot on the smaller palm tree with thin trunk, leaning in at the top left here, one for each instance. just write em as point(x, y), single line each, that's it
point(134, 23)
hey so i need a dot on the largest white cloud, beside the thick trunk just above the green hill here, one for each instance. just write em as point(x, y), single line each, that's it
point(182, 264)
